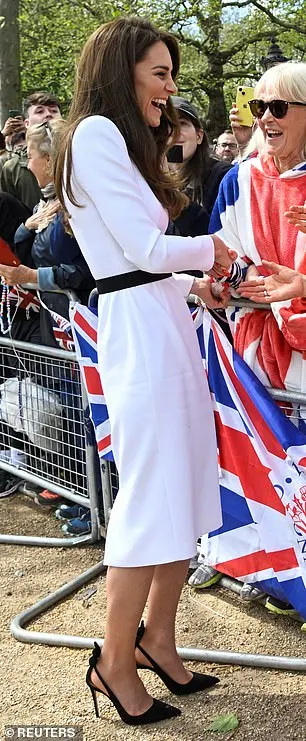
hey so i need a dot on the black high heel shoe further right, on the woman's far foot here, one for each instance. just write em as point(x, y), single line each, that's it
point(197, 682)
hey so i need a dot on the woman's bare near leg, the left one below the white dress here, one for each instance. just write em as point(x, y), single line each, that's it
point(127, 591)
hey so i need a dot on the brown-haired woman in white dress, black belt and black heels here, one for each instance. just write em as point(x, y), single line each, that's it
point(111, 180)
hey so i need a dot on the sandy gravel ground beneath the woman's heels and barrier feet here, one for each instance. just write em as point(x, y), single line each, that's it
point(44, 685)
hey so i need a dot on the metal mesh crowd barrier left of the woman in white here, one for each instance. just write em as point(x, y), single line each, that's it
point(54, 433)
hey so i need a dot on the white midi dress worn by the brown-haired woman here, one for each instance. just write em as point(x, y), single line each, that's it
point(160, 411)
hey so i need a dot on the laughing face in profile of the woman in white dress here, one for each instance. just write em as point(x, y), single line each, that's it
point(153, 82)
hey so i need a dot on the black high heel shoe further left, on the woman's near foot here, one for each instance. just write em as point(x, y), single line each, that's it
point(158, 710)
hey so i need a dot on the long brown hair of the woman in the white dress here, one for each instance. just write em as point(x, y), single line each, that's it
point(105, 86)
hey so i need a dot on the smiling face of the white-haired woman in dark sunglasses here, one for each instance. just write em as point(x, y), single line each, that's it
point(284, 137)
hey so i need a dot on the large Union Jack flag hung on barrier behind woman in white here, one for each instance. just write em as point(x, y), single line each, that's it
point(262, 459)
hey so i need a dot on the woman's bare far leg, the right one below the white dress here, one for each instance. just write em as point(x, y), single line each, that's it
point(159, 636)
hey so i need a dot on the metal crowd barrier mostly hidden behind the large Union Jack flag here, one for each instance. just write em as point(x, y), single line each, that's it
point(110, 488)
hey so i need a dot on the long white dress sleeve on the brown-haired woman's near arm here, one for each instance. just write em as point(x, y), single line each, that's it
point(103, 171)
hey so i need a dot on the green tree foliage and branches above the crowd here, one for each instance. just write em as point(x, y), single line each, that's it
point(222, 42)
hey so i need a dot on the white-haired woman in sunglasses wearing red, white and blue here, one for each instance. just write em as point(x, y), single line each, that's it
point(250, 217)
